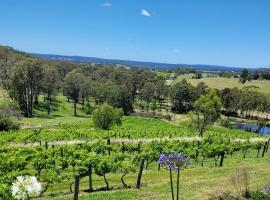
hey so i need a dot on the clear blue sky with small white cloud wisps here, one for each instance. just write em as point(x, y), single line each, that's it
point(232, 33)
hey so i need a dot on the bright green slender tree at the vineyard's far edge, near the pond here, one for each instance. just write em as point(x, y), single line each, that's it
point(207, 110)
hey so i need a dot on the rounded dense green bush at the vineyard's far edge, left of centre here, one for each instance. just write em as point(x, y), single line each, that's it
point(104, 116)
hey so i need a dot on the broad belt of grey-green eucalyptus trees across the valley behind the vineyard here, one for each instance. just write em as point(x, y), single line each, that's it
point(28, 80)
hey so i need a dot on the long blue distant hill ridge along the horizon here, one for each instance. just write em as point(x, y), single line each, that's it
point(152, 65)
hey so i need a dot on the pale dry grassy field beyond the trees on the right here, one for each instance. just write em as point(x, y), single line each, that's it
point(221, 83)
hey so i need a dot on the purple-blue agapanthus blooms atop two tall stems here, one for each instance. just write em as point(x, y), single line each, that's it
point(174, 161)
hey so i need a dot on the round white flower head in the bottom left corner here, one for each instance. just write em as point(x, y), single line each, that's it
point(25, 186)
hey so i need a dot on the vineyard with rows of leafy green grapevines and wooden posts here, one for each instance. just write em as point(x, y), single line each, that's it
point(117, 162)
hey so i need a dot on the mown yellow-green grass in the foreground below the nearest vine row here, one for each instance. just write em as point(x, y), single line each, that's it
point(196, 182)
